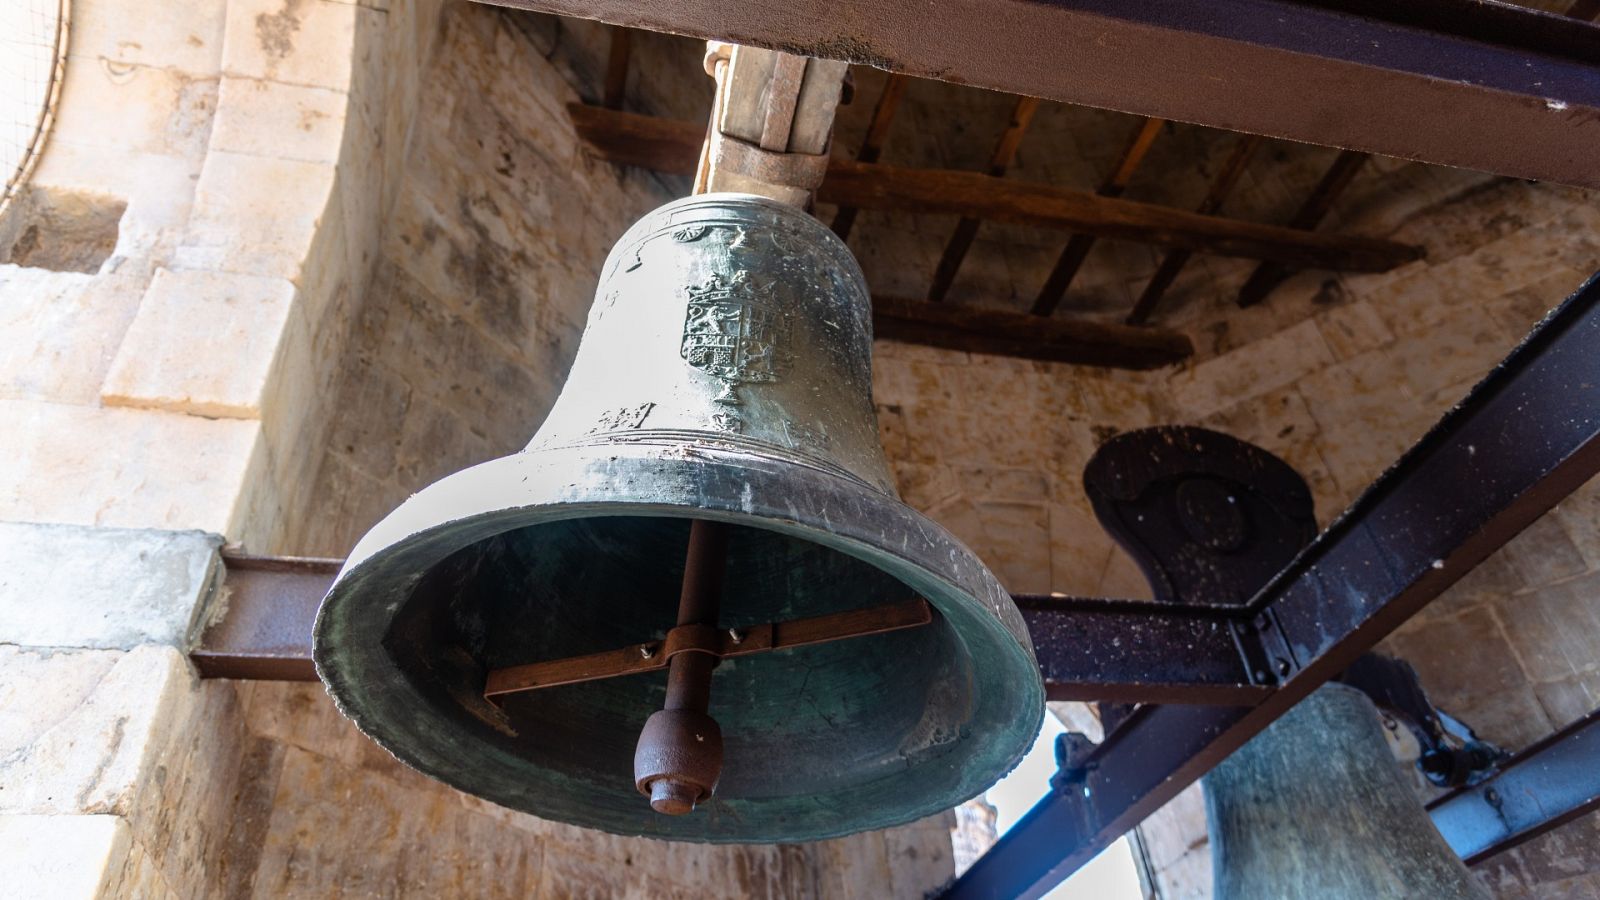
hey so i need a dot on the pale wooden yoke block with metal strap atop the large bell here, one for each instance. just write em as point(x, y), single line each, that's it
point(770, 123)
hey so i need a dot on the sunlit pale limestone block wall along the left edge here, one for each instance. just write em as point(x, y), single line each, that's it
point(174, 302)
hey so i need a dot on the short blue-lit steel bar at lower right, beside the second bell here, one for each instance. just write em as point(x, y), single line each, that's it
point(1542, 789)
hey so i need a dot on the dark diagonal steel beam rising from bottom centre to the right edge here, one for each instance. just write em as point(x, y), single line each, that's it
point(1524, 440)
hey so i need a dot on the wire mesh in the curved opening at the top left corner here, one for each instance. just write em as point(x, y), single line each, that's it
point(33, 62)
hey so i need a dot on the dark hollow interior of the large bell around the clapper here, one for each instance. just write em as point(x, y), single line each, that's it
point(804, 723)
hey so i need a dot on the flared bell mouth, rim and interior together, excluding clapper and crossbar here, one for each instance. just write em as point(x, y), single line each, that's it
point(561, 553)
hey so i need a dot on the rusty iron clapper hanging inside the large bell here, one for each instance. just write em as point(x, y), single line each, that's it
point(679, 755)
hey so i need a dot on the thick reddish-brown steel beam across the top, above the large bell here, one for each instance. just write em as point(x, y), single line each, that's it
point(1455, 82)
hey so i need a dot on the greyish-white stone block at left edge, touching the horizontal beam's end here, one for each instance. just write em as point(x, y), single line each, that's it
point(103, 589)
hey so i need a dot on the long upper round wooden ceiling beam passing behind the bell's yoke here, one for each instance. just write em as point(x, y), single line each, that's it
point(674, 147)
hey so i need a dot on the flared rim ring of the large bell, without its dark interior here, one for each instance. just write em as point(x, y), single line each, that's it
point(503, 496)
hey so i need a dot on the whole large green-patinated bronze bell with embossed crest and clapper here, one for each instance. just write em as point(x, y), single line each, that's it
point(514, 629)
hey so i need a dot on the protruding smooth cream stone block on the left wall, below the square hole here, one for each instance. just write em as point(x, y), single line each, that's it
point(202, 344)
